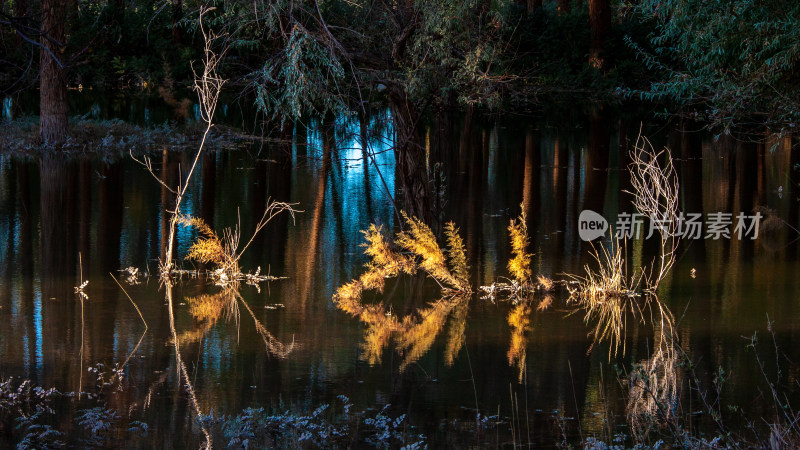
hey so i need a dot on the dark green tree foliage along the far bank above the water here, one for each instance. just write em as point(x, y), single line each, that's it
point(294, 61)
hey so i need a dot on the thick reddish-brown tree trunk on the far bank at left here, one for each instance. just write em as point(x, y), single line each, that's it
point(52, 75)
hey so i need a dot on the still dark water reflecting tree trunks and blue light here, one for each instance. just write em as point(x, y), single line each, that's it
point(288, 348)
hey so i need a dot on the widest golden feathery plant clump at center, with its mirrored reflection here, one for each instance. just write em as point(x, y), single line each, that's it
point(415, 333)
